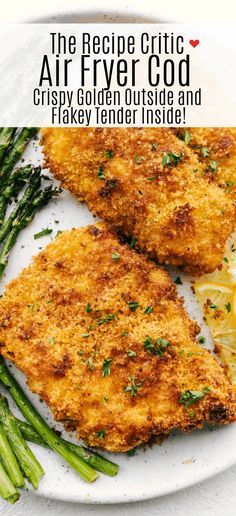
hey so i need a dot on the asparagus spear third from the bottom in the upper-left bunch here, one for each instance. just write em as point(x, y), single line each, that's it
point(14, 184)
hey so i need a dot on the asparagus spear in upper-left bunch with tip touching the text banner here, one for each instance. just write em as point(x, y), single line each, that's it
point(16, 151)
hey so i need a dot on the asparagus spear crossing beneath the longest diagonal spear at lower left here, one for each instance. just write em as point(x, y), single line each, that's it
point(95, 460)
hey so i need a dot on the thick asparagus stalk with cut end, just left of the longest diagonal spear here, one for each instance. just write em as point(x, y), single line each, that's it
point(28, 462)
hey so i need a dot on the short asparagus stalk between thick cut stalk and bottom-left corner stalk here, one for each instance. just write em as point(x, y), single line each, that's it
point(10, 461)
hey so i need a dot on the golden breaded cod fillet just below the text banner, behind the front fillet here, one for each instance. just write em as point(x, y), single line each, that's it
point(148, 184)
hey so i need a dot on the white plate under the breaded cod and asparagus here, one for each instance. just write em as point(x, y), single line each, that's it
point(181, 461)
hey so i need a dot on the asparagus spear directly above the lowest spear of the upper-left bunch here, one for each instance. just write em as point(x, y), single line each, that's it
point(34, 183)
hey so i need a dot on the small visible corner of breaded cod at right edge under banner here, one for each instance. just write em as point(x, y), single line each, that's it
point(216, 149)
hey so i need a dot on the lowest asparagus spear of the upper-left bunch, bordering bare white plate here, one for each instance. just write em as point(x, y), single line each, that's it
point(24, 216)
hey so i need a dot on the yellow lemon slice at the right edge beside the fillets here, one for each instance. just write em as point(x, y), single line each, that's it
point(218, 301)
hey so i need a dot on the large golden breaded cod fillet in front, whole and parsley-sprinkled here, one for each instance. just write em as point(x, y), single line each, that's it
point(104, 340)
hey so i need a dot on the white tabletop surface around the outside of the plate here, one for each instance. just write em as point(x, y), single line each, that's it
point(217, 496)
